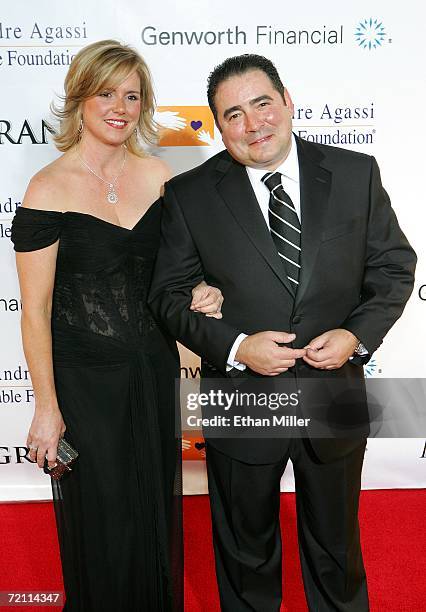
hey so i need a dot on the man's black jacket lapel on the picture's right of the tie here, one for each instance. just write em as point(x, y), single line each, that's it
point(315, 183)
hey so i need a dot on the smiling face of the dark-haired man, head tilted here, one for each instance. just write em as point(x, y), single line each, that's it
point(254, 120)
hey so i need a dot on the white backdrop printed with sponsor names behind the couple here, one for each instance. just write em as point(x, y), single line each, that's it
point(356, 76)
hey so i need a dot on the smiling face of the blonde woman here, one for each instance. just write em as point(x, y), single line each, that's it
point(112, 115)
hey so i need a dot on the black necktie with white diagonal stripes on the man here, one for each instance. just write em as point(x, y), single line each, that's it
point(284, 225)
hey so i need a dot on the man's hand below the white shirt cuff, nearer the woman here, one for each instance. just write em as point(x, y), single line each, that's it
point(261, 353)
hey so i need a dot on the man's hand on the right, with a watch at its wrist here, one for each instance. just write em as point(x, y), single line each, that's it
point(331, 350)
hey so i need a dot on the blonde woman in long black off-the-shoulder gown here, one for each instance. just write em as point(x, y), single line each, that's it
point(101, 367)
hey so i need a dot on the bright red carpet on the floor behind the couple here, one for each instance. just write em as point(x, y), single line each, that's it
point(393, 532)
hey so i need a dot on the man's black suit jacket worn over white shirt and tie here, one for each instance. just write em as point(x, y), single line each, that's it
point(357, 267)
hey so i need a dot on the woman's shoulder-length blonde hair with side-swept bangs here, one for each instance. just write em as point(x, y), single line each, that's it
point(99, 66)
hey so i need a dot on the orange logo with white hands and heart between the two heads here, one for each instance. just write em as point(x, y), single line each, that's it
point(185, 126)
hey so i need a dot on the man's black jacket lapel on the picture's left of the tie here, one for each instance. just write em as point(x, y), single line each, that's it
point(235, 189)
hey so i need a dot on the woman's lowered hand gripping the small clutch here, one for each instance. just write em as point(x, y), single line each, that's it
point(46, 428)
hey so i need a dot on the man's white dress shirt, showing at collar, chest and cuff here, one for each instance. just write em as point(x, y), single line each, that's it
point(290, 180)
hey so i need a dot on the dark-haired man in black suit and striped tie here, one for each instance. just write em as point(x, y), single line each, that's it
point(314, 270)
